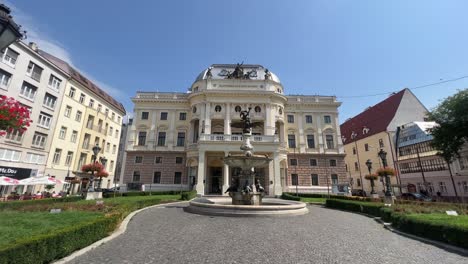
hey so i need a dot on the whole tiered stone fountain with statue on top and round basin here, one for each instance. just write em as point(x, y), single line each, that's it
point(246, 192)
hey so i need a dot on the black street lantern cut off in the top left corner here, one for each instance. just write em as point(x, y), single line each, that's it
point(9, 30)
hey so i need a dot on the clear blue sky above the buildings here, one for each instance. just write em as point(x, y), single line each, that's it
point(342, 48)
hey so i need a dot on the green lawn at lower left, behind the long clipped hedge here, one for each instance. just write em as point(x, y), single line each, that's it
point(15, 226)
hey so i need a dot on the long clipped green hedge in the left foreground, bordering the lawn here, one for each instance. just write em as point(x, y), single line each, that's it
point(56, 245)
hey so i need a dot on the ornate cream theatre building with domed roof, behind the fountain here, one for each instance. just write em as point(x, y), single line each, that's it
point(177, 141)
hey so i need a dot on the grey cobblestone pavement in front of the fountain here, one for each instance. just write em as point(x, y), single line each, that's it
point(170, 235)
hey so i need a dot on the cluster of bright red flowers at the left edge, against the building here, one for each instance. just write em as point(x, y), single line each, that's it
point(13, 116)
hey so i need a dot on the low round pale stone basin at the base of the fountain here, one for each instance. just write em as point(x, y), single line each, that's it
point(221, 206)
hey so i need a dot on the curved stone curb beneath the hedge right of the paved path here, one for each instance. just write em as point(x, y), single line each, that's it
point(388, 226)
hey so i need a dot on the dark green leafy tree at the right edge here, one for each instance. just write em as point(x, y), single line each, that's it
point(451, 131)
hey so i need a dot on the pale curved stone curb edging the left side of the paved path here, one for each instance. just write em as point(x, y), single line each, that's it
point(120, 230)
